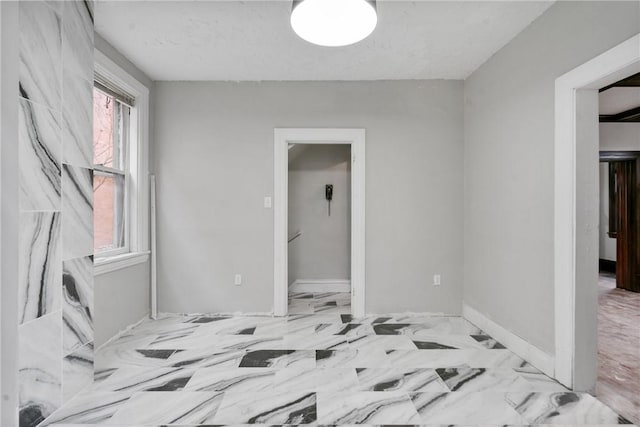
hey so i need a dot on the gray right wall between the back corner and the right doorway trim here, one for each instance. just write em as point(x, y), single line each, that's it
point(509, 161)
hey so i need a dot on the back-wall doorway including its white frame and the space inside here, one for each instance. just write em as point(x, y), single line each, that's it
point(289, 234)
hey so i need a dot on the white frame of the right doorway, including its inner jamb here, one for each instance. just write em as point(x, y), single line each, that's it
point(576, 211)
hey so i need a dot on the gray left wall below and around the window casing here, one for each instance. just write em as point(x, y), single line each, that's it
point(122, 297)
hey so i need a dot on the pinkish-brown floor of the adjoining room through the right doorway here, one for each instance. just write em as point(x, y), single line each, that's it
point(619, 348)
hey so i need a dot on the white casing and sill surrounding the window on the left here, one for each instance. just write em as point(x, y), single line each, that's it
point(137, 186)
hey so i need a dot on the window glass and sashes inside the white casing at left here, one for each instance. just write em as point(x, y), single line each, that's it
point(110, 176)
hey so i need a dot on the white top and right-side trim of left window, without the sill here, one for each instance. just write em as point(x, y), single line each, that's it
point(138, 208)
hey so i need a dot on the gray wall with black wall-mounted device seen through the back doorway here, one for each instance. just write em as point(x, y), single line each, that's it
point(323, 251)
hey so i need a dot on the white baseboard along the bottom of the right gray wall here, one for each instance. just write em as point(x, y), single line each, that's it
point(530, 353)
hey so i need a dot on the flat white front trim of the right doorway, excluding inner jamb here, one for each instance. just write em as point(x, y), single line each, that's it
point(616, 63)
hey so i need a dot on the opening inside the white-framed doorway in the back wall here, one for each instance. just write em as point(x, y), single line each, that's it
point(319, 222)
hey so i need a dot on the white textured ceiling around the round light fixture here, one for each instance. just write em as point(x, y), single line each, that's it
point(252, 40)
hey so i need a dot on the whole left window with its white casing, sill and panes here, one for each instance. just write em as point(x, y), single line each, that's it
point(120, 159)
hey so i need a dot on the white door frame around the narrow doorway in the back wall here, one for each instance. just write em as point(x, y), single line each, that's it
point(282, 138)
